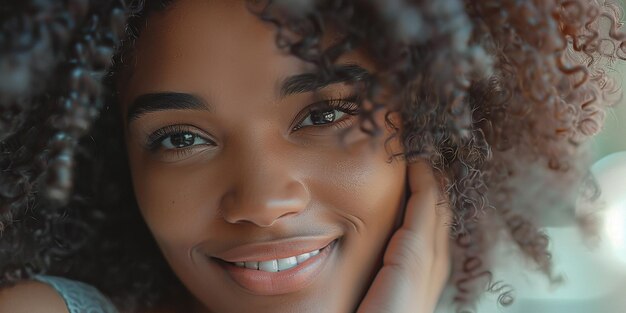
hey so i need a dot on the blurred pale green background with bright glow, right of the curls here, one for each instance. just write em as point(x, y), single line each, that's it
point(593, 271)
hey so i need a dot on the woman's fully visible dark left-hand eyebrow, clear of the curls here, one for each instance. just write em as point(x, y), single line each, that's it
point(161, 101)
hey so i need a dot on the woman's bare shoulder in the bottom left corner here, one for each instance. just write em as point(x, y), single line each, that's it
point(19, 298)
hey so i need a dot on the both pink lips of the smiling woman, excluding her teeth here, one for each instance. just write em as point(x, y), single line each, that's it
point(266, 281)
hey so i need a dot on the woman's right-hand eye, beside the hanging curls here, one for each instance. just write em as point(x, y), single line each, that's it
point(328, 113)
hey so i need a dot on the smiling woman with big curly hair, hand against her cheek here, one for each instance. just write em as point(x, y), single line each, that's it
point(281, 154)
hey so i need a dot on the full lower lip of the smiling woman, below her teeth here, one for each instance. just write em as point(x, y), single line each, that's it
point(266, 284)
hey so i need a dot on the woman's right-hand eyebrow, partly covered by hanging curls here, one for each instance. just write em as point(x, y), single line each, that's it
point(309, 82)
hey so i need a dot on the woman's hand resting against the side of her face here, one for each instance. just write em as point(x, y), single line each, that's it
point(403, 282)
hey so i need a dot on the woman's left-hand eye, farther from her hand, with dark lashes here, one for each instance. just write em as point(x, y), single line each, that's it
point(177, 137)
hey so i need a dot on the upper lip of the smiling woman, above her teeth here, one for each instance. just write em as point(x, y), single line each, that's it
point(271, 250)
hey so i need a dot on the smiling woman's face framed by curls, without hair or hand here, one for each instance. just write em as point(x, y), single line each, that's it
point(230, 165)
